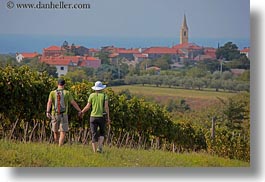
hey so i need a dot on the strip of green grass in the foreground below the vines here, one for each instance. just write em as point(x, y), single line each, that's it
point(14, 154)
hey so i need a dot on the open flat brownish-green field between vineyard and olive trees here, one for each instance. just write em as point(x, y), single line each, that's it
point(196, 99)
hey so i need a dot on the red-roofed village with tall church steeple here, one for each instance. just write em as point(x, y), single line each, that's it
point(77, 56)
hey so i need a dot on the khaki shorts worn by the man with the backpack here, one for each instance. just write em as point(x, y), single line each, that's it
point(60, 123)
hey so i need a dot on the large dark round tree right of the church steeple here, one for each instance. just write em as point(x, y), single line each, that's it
point(228, 52)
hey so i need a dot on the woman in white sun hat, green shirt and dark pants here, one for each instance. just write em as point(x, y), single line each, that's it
point(98, 101)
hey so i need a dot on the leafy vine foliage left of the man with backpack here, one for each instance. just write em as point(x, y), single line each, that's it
point(23, 92)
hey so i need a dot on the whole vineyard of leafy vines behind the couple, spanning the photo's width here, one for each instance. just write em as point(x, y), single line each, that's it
point(136, 123)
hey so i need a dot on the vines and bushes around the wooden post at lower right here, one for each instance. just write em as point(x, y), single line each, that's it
point(232, 129)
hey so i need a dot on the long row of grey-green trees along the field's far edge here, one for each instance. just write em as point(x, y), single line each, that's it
point(194, 80)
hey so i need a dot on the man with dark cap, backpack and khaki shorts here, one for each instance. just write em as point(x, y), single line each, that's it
point(59, 100)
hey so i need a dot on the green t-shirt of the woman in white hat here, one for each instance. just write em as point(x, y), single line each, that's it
point(96, 100)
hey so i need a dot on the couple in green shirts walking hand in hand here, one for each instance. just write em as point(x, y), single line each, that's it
point(58, 106)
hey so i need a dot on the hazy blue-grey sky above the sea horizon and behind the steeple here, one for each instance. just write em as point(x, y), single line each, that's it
point(131, 18)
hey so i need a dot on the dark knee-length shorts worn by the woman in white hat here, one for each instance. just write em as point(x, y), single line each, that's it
point(97, 126)
